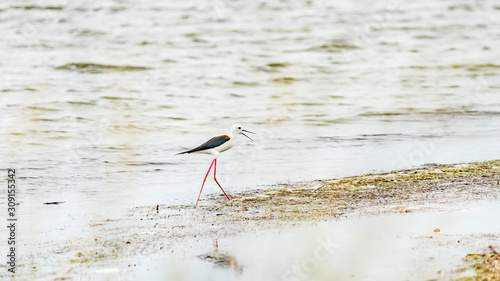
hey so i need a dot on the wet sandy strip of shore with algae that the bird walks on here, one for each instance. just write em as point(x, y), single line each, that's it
point(123, 247)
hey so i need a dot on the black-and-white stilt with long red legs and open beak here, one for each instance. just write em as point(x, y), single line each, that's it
point(214, 147)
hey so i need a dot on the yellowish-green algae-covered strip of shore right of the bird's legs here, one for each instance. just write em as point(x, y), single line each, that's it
point(432, 185)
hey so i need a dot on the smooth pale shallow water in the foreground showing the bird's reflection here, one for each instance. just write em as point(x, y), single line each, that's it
point(378, 247)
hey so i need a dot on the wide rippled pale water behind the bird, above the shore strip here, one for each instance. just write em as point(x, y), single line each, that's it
point(98, 96)
